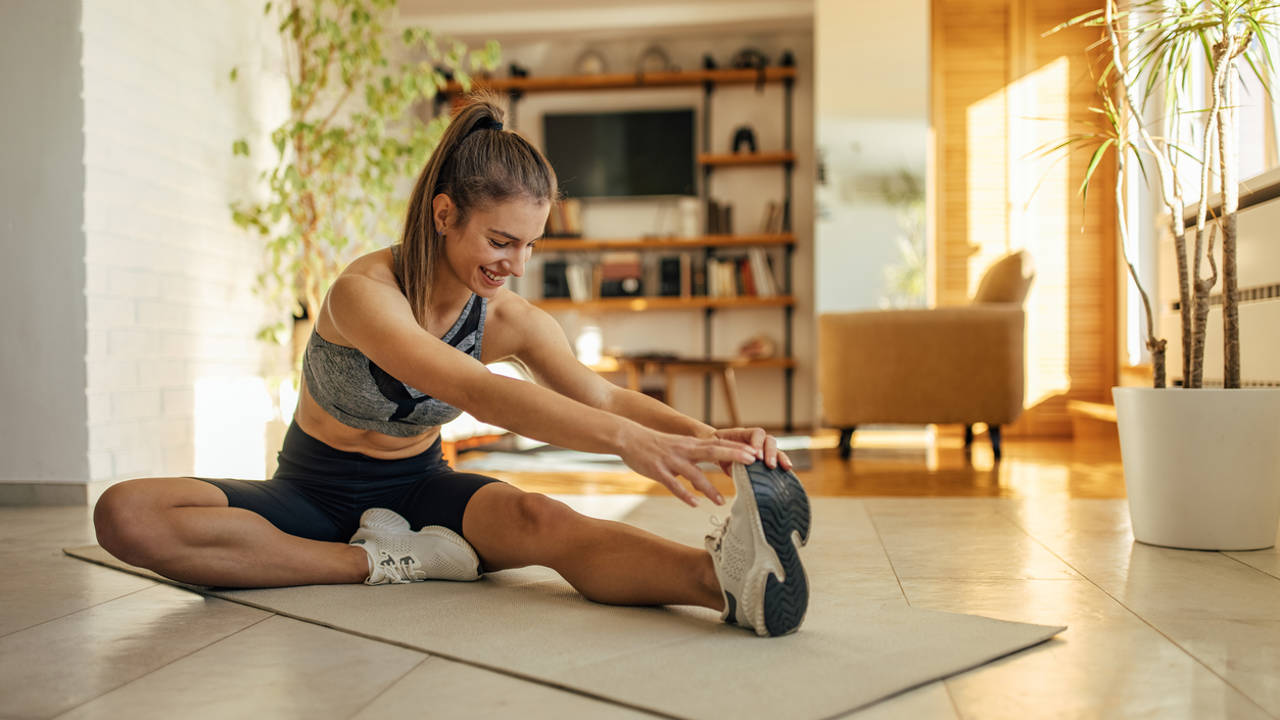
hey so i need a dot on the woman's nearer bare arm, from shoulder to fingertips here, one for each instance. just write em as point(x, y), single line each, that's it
point(378, 321)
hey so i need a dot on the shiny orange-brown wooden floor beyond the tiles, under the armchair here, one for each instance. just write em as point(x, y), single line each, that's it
point(909, 464)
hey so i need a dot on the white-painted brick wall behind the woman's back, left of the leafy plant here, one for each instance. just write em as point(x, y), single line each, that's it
point(170, 277)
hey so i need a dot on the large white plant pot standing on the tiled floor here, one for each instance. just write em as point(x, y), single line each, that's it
point(1201, 467)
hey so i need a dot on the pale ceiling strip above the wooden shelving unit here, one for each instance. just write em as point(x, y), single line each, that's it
point(547, 20)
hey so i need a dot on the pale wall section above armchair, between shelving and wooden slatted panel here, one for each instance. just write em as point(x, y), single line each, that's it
point(871, 106)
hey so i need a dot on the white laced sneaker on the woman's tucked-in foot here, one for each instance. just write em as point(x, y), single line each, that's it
point(399, 555)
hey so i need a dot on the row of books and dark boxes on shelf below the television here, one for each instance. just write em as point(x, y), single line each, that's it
point(687, 275)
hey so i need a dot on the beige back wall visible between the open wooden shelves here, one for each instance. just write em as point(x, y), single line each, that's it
point(761, 393)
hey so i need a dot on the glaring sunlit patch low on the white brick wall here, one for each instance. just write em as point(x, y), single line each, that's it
point(231, 417)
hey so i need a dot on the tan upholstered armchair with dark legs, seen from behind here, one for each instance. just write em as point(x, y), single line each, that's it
point(917, 367)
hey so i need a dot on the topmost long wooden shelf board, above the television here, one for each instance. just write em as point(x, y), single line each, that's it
point(563, 84)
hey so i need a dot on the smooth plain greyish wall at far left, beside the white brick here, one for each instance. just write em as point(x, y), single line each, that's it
point(44, 438)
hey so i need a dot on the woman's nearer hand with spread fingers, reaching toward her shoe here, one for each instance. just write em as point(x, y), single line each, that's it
point(666, 458)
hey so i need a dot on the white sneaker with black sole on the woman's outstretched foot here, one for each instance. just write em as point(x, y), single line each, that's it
point(755, 552)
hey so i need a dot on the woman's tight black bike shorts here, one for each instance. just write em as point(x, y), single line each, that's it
point(319, 493)
